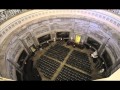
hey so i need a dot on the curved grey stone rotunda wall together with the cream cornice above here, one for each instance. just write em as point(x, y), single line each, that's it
point(98, 24)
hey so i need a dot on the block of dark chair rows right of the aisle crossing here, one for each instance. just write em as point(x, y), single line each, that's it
point(79, 60)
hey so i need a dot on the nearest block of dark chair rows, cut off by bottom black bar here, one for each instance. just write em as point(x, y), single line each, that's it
point(69, 74)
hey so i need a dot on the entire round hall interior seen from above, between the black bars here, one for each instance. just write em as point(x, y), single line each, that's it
point(59, 45)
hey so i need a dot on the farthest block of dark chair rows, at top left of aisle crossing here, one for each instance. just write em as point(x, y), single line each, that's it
point(58, 52)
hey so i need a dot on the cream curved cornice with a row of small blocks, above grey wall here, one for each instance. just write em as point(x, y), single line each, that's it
point(24, 18)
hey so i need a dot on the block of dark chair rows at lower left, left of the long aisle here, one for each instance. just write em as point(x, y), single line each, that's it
point(48, 66)
